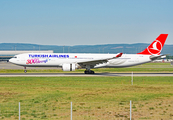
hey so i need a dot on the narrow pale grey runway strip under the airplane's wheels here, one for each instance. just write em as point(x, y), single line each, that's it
point(80, 74)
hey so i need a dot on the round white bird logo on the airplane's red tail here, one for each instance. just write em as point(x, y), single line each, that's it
point(155, 47)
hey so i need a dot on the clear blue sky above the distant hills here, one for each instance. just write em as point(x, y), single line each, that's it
point(85, 22)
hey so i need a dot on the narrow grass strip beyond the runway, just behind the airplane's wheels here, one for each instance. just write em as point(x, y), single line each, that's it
point(148, 67)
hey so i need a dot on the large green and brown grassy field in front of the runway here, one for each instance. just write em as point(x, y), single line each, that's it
point(93, 97)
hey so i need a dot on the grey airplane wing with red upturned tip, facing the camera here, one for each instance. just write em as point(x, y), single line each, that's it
point(92, 63)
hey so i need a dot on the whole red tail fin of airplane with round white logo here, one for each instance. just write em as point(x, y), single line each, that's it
point(156, 46)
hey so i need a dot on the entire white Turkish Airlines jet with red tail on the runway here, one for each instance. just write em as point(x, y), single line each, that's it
point(72, 61)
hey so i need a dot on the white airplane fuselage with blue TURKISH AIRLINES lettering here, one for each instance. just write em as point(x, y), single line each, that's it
point(58, 59)
